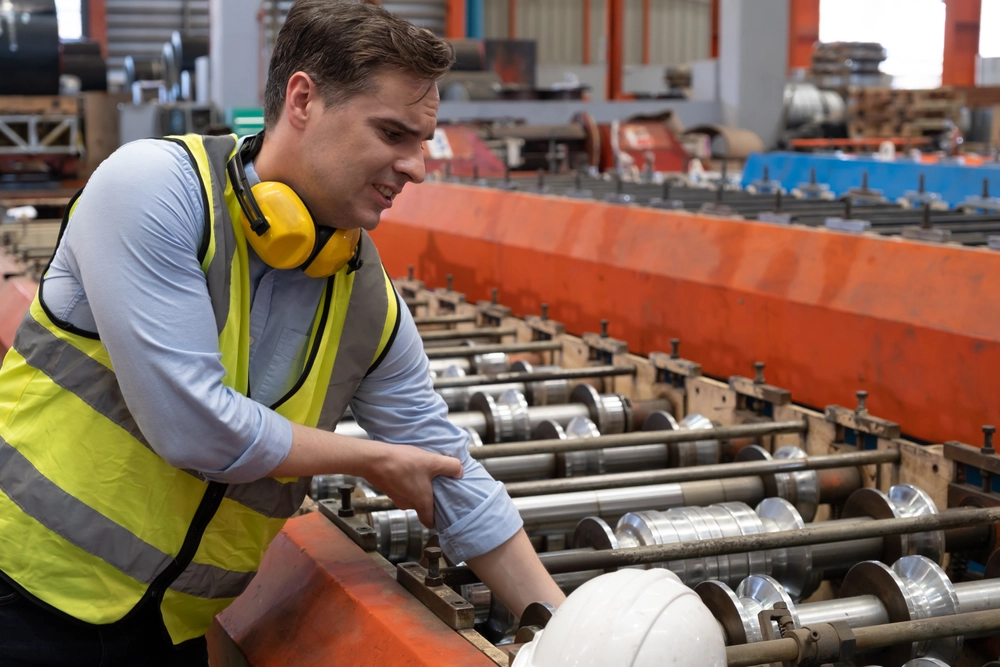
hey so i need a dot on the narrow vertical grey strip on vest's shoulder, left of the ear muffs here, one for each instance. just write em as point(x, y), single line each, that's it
point(219, 273)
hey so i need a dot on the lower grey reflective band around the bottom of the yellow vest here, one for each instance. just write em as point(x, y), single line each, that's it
point(81, 525)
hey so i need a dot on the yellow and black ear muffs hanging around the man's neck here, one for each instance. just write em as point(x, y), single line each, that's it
point(278, 225)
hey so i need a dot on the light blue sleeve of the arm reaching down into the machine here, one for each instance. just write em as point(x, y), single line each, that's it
point(397, 403)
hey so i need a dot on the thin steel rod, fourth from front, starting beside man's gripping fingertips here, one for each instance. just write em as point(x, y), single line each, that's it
point(642, 438)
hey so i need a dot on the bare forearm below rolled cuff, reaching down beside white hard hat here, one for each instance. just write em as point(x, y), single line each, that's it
point(514, 574)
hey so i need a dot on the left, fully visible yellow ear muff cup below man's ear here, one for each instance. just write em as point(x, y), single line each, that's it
point(292, 236)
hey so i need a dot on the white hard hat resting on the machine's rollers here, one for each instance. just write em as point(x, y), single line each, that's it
point(640, 618)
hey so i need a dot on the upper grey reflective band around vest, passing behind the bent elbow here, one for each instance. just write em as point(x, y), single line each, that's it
point(96, 385)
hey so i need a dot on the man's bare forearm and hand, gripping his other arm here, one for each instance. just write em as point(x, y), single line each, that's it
point(402, 472)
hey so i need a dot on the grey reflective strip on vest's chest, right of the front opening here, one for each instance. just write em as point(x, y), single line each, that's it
point(366, 313)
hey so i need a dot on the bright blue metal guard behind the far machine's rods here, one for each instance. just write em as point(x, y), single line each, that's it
point(953, 182)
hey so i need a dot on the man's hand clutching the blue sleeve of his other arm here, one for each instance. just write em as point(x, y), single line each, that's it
point(404, 473)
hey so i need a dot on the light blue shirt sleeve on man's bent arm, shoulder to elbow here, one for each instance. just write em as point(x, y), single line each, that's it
point(133, 247)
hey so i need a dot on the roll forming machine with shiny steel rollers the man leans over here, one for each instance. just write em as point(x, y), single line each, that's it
point(811, 535)
